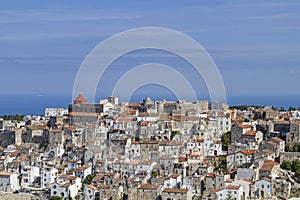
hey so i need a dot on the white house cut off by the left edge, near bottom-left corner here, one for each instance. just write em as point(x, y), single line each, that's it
point(8, 181)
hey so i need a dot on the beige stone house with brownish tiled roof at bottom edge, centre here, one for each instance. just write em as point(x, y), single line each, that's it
point(146, 191)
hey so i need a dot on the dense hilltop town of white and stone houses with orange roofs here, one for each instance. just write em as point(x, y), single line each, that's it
point(152, 150)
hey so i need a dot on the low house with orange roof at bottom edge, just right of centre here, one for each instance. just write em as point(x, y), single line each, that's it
point(176, 194)
